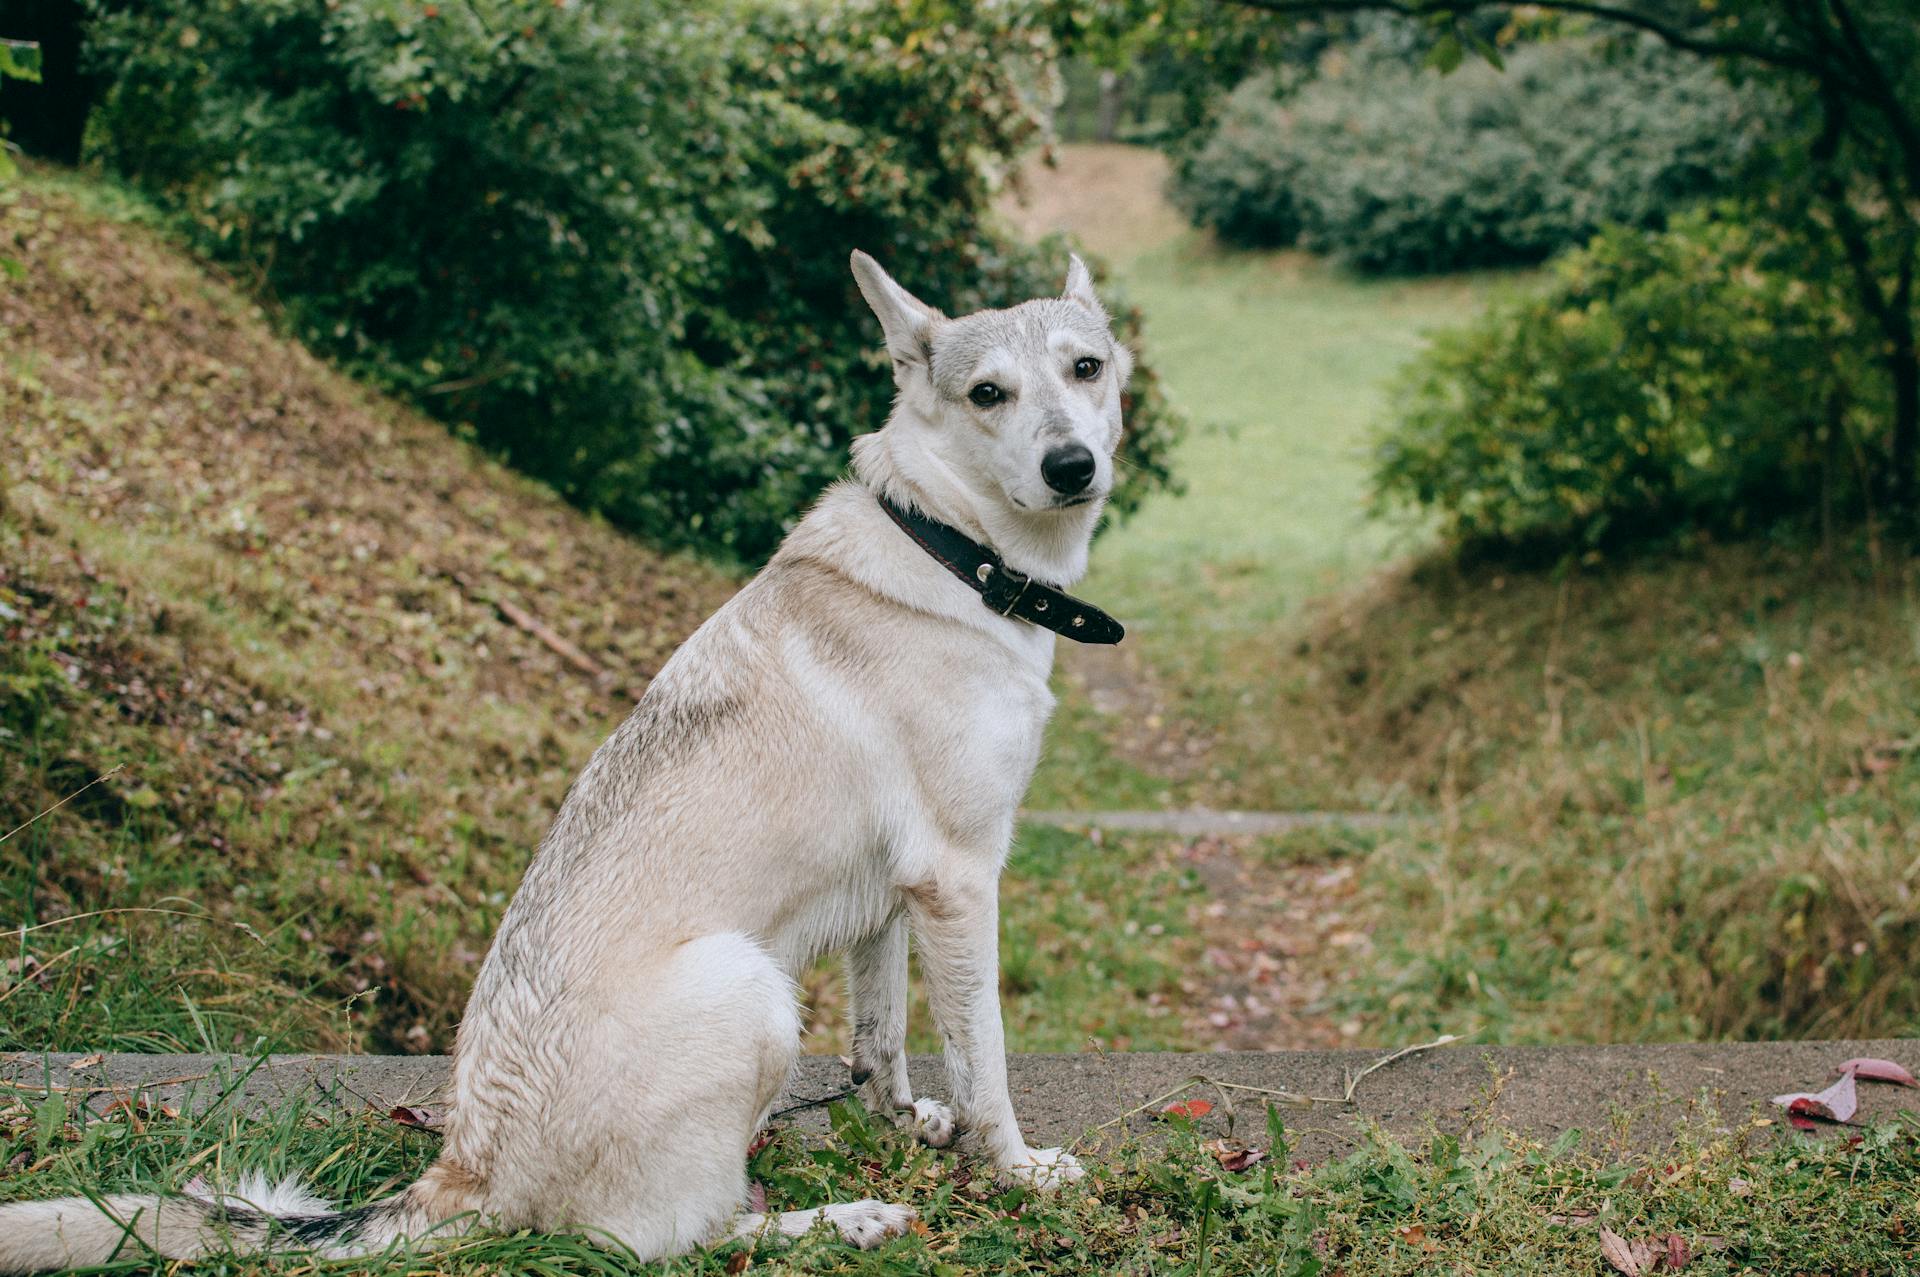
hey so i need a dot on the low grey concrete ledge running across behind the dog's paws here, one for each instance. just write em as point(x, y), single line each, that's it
point(1545, 1090)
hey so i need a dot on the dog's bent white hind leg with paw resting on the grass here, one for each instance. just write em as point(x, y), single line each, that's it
point(688, 1059)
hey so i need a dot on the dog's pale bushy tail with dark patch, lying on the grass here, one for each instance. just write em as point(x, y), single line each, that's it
point(78, 1232)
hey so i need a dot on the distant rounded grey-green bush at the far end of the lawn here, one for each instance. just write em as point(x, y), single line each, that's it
point(1395, 168)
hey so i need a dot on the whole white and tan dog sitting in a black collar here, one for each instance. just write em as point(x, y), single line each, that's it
point(830, 763)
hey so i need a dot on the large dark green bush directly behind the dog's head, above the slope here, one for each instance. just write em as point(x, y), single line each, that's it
point(606, 239)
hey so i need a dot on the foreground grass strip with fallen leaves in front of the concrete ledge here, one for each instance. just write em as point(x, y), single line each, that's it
point(1735, 1195)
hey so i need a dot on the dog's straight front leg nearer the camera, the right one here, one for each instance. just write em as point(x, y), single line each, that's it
point(957, 923)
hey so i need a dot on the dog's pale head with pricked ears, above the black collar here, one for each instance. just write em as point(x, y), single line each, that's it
point(1020, 402)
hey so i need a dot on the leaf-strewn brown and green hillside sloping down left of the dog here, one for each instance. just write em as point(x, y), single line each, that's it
point(345, 665)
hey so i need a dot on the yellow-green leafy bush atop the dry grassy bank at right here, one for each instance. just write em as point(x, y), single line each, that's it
point(1694, 377)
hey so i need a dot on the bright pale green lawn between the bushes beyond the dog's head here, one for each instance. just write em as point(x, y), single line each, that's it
point(1280, 362)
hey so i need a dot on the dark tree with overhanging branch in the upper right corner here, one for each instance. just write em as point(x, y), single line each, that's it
point(1856, 70)
